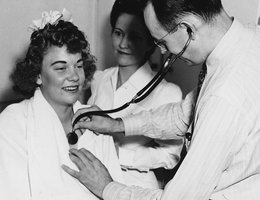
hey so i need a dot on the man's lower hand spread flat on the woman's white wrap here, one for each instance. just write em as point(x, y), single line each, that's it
point(92, 173)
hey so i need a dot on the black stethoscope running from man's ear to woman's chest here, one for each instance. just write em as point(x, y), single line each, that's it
point(142, 94)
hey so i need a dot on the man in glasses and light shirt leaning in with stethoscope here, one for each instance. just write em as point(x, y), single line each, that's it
point(222, 161)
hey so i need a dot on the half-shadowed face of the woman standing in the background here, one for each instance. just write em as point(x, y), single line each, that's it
point(131, 40)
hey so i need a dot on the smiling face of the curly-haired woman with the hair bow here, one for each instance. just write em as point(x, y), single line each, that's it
point(62, 76)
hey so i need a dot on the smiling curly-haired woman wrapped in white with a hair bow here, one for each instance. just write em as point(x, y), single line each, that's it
point(33, 142)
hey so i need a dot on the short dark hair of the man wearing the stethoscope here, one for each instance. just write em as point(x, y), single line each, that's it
point(169, 11)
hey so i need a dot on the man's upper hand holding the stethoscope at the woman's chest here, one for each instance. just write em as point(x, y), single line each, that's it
point(99, 124)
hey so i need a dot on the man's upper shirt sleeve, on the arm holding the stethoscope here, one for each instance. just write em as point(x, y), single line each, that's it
point(170, 121)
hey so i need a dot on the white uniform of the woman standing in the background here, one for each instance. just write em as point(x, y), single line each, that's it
point(135, 152)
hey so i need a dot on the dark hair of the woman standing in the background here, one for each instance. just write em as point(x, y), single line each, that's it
point(132, 7)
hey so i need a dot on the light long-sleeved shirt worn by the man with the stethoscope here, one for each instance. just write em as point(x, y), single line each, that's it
point(223, 161)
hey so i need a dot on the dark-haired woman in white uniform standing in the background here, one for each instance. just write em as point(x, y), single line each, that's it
point(133, 45)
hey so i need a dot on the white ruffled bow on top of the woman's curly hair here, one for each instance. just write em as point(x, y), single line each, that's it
point(52, 17)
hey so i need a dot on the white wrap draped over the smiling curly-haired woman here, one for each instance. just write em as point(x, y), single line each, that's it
point(33, 146)
